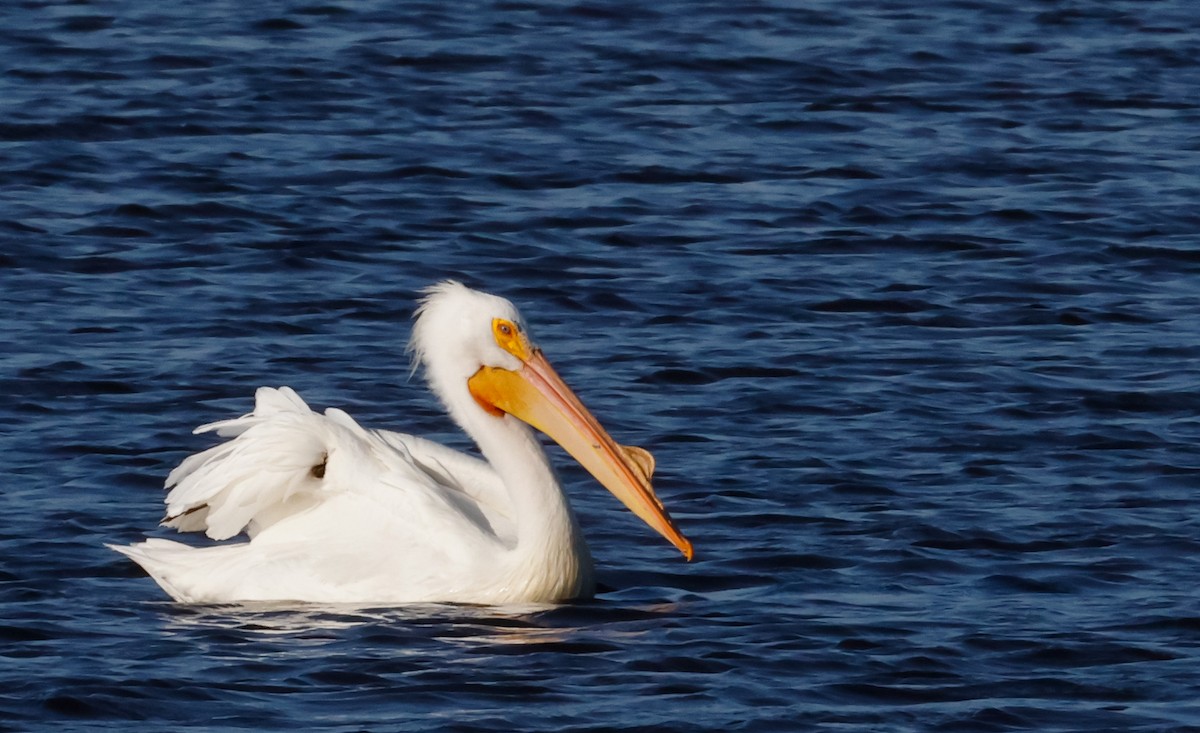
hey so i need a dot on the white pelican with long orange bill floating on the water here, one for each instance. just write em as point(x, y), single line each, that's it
point(337, 513)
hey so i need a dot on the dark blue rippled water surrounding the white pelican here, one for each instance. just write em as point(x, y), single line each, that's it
point(903, 296)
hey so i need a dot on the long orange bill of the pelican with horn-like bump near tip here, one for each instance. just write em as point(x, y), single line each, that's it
point(537, 395)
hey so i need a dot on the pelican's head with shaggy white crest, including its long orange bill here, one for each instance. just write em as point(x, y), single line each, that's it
point(478, 343)
